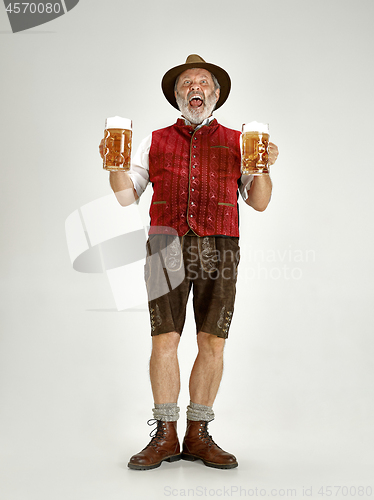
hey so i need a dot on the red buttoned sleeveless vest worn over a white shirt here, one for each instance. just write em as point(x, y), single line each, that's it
point(195, 178)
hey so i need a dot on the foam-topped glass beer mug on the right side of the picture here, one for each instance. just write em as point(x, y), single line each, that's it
point(255, 143)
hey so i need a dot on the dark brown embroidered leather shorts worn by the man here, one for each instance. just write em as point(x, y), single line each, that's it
point(206, 265)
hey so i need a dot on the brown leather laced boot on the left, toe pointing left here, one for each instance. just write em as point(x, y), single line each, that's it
point(164, 445)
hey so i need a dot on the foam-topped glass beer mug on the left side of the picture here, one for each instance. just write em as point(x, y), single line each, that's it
point(117, 144)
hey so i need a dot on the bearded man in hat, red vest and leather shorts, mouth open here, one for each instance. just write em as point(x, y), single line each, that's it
point(194, 167)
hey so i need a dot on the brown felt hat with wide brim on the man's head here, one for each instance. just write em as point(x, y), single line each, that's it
point(195, 61)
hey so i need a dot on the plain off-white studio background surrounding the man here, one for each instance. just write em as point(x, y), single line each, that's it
point(296, 402)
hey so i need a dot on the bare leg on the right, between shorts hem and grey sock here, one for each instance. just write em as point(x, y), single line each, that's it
point(207, 370)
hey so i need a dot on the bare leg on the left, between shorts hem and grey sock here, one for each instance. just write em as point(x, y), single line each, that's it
point(164, 368)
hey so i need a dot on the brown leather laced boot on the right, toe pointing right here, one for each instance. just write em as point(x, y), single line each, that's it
point(198, 444)
